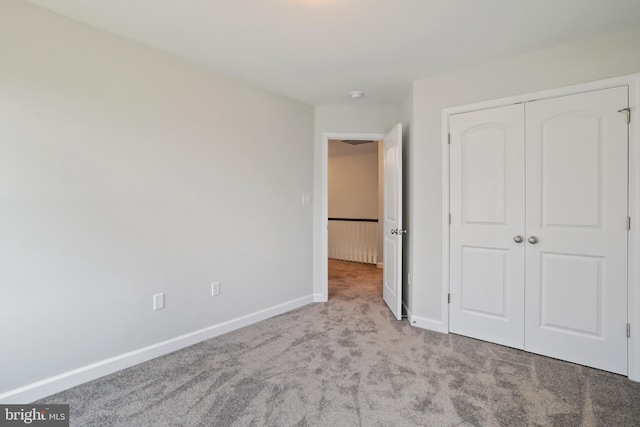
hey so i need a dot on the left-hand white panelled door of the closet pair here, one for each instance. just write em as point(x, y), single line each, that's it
point(487, 207)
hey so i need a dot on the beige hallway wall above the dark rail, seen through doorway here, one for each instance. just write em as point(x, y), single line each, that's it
point(353, 186)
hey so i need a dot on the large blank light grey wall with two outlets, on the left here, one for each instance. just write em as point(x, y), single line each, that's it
point(126, 172)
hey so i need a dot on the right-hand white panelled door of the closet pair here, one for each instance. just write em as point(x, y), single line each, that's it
point(576, 283)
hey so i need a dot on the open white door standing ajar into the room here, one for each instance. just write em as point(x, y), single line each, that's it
point(393, 232)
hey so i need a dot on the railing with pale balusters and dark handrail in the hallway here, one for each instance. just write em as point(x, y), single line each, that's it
point(353, 240)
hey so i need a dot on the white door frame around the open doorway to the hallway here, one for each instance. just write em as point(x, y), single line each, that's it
point(321, 258)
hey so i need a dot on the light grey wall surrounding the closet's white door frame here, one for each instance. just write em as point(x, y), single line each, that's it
point(592, 59)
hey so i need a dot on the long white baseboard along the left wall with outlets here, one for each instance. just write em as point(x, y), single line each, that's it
point(58, 383)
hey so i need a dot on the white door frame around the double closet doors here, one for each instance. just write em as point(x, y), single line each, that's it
point(633, 248)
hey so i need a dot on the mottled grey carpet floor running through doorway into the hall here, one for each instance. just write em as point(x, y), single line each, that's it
point(350, 363)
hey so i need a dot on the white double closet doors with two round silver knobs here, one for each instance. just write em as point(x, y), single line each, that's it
point(538, 236)
